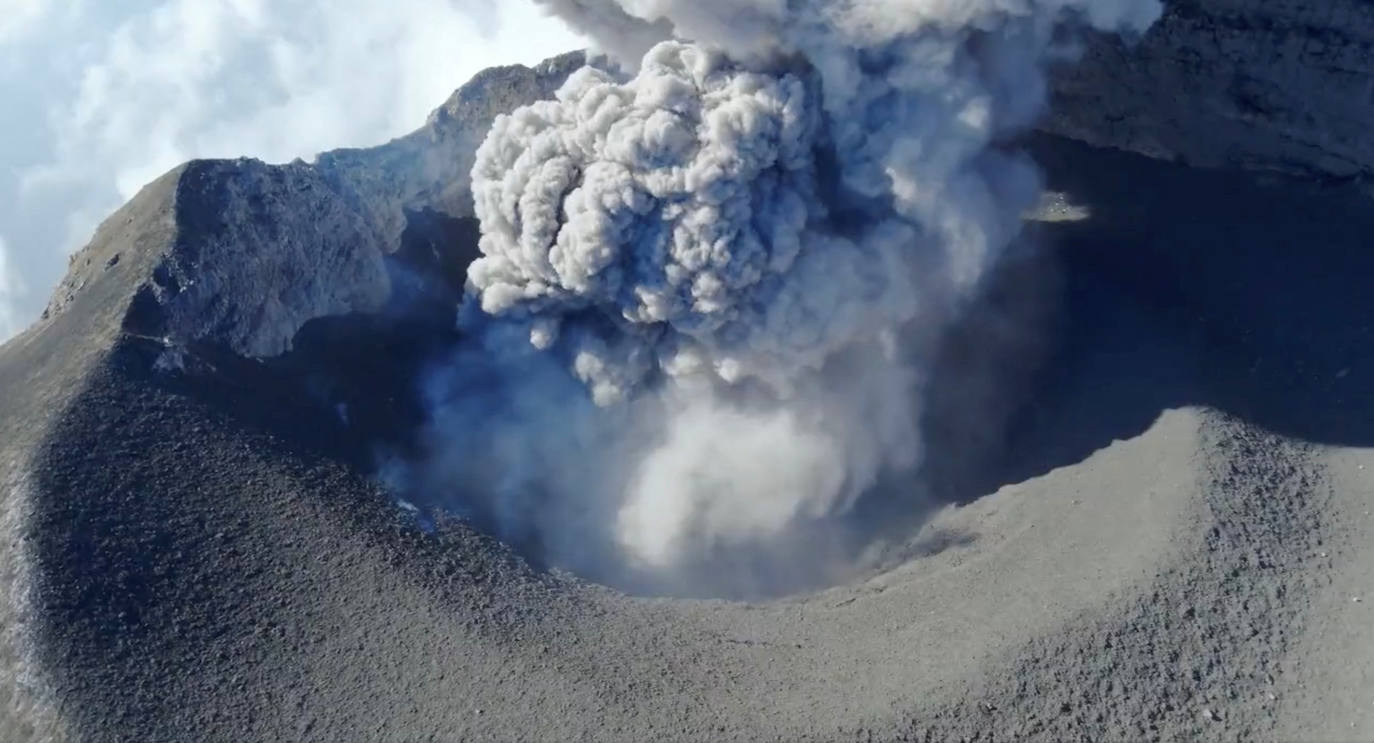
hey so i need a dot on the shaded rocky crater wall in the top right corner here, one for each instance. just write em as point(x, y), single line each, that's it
point(1261, 84)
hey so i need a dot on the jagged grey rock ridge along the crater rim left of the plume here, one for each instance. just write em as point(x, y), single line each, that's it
point(244, 253)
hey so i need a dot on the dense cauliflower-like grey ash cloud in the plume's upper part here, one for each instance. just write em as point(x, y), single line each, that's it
point(678, 225)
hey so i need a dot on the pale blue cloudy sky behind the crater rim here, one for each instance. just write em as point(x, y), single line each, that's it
point(102, 97)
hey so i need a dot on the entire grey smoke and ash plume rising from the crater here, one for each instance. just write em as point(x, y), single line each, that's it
point(710, 293)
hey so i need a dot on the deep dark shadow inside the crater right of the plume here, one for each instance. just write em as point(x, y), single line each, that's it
point(1237, 292)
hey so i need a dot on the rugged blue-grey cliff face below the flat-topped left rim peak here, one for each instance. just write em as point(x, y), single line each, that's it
point(258, 252)
